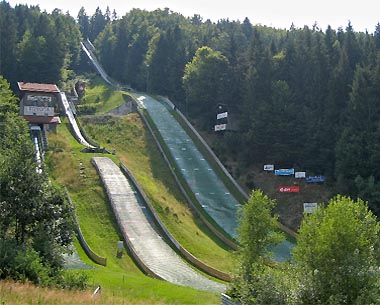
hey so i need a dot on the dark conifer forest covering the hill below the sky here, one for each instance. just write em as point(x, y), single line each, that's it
point(307, 98)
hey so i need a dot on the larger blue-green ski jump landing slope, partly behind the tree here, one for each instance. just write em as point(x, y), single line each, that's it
point(213, 195)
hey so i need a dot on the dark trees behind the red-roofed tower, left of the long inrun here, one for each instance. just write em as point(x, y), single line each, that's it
point(36, 46)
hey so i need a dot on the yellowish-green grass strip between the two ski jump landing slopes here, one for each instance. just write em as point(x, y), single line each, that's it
point(137, 150)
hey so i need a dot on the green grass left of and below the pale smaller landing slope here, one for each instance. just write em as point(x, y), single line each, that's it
point(121, 279)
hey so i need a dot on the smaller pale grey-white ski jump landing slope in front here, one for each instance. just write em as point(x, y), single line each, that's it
point(141, 234)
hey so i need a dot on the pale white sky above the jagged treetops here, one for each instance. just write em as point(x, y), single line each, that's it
point(363, 15)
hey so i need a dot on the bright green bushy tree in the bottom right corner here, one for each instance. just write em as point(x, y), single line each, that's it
point(337, 255)
